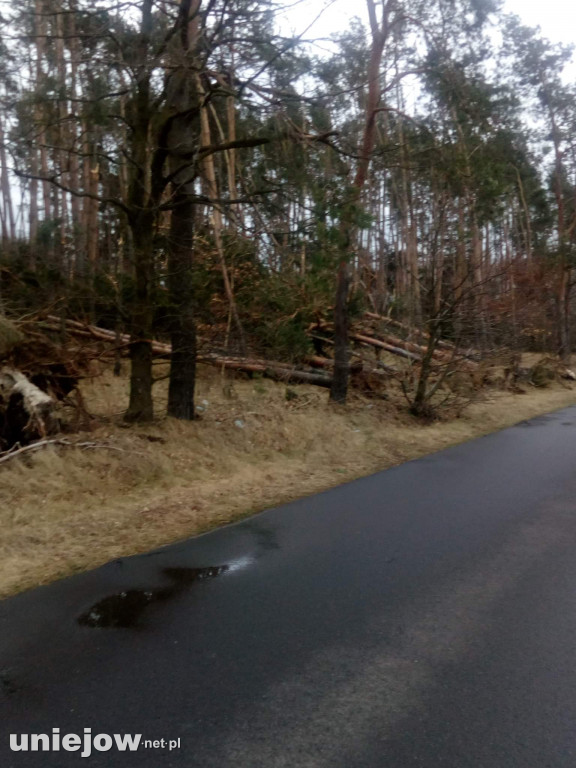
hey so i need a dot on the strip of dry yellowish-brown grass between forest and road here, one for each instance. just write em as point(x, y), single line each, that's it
point(66, 511)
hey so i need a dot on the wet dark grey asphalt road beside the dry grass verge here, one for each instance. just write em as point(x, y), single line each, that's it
point(423, 616)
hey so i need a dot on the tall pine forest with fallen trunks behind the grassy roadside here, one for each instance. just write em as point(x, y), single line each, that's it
point(184, 182)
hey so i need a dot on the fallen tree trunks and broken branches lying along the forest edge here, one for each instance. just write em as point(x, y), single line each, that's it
point(43, 359)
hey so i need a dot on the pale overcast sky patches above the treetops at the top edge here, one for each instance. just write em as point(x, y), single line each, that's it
point(557, 18)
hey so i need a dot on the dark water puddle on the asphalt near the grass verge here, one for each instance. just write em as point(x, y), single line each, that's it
point(124, 609)
